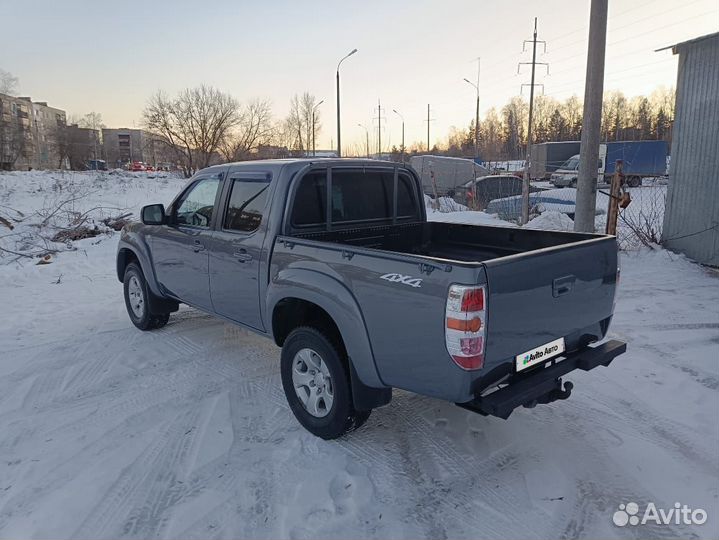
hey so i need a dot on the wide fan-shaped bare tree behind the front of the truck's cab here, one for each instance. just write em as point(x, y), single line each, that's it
point(193, 125)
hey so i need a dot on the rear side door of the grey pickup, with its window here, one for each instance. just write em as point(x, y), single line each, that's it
point(237, 249)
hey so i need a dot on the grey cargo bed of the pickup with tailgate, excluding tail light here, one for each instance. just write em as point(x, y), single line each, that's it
point(541, 286)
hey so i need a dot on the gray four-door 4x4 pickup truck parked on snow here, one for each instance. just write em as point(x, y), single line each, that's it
point(336, 262)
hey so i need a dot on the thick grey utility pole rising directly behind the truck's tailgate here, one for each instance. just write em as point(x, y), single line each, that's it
point(591, 124)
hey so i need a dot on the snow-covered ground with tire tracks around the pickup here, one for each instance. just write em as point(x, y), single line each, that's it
point(109, 432)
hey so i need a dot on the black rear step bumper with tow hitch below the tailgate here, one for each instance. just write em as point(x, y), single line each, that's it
point(543, 385)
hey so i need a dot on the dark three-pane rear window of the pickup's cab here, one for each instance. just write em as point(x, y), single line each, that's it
point(356, 196)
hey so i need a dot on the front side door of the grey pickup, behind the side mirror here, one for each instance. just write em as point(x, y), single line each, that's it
point(179, 249)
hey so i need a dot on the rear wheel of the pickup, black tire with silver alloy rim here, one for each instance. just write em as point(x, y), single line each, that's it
point(312, 367)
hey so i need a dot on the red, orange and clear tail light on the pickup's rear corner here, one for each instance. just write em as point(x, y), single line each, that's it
point(465, 325)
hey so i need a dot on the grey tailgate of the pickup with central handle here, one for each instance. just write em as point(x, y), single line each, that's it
point(537, 297)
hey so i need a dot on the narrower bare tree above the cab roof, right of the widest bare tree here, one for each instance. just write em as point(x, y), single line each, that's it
point(254, 128)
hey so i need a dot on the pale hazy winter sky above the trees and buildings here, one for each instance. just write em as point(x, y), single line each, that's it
point(109, 56)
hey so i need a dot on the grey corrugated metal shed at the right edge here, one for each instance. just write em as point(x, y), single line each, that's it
point(691, 218)
